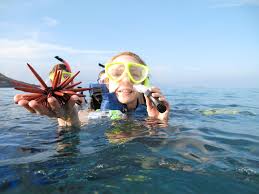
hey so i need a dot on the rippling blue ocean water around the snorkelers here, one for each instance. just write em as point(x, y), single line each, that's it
point(210, 145)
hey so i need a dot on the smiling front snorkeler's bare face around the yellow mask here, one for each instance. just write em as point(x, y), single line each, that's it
point(124, 87)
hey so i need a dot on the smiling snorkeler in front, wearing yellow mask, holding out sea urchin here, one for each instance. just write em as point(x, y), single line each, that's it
point(122, 72)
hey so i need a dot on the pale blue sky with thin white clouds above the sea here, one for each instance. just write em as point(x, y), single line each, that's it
point(201, 43)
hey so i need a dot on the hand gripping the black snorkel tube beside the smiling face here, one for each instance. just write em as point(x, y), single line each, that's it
point(151, 109)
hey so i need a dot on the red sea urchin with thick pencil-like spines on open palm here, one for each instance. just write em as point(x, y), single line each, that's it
point(61, 90)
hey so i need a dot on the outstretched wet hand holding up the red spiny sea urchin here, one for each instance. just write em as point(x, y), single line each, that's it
point(67, 114)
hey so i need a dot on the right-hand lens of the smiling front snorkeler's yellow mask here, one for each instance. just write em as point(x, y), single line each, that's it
point(138, 72)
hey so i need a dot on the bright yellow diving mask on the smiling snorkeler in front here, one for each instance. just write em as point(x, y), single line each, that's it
point(137, 73)
